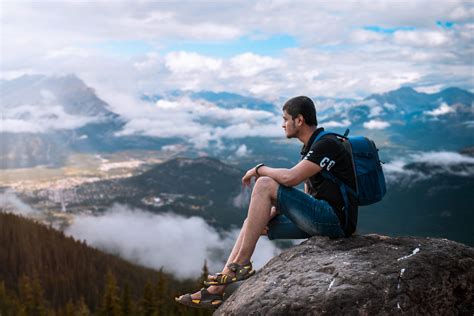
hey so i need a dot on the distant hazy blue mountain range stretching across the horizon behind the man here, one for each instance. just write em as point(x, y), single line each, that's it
point(46, 118)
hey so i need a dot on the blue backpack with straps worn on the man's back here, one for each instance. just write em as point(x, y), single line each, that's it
point(370, 180)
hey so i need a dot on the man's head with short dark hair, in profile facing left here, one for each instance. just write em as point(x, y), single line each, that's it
point(297, 112)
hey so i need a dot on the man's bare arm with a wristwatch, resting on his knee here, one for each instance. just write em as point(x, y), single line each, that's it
point(287, 177)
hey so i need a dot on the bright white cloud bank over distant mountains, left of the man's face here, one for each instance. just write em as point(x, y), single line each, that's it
point(202, 121)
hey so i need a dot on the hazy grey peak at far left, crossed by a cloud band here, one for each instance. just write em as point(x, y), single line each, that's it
point(44, 119)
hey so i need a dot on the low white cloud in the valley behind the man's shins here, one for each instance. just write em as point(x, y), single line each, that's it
point(161, 240)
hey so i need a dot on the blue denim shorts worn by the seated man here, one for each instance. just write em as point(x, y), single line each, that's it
point(302, 216)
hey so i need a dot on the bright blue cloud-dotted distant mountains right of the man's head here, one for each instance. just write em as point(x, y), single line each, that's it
point(404, 119)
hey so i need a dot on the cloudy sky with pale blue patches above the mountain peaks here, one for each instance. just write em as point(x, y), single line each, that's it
point(268, 49)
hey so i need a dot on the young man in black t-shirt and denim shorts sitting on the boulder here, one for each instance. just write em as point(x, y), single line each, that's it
point(282, 211)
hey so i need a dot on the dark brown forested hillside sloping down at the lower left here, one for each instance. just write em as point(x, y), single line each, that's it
point(42, 271)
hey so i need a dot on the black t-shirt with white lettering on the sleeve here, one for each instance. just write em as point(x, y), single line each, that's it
point(329, 153)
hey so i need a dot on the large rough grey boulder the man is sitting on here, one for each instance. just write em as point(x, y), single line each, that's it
point(361, 275)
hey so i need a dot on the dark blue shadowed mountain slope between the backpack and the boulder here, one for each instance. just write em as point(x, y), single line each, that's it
point(425, 199)
